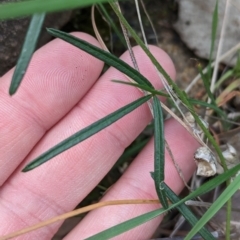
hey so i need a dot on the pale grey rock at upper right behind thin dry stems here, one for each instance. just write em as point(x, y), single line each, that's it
point(194, 25)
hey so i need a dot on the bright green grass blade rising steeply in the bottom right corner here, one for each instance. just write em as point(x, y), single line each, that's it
point(216, 206)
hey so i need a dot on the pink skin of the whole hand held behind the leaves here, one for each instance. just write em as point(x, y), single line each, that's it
point(62, 93)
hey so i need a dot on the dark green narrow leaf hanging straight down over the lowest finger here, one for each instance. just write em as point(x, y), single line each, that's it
point(159, 151)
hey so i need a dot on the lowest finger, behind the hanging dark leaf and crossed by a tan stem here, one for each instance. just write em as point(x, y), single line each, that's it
point(136, 183)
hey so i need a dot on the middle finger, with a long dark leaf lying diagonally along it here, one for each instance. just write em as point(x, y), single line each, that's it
point(60, 184)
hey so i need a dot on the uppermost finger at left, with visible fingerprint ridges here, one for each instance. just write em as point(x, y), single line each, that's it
point(58, 77)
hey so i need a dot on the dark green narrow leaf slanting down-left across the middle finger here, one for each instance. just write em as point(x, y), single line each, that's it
point(85, 133)
